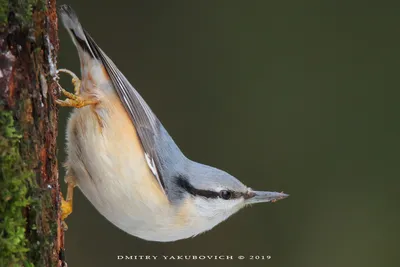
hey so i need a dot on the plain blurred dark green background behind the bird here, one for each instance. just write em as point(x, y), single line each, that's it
point(294, 96)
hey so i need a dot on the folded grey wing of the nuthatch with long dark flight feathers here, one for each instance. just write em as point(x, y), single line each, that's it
point(144, 120)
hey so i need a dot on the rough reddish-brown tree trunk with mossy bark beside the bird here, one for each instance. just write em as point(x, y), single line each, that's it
point(30, 226)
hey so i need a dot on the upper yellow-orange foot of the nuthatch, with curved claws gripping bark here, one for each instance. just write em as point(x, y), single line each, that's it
point(74, 100)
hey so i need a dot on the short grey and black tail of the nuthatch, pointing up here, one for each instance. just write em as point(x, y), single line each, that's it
point(75, 29)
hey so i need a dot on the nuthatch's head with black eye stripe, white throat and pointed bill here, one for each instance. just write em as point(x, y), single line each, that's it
point(212, 195)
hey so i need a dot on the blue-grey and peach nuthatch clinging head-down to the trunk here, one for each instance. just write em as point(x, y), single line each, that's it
point(126, 163)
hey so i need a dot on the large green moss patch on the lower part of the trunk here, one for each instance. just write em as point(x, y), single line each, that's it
point(15, 181)
